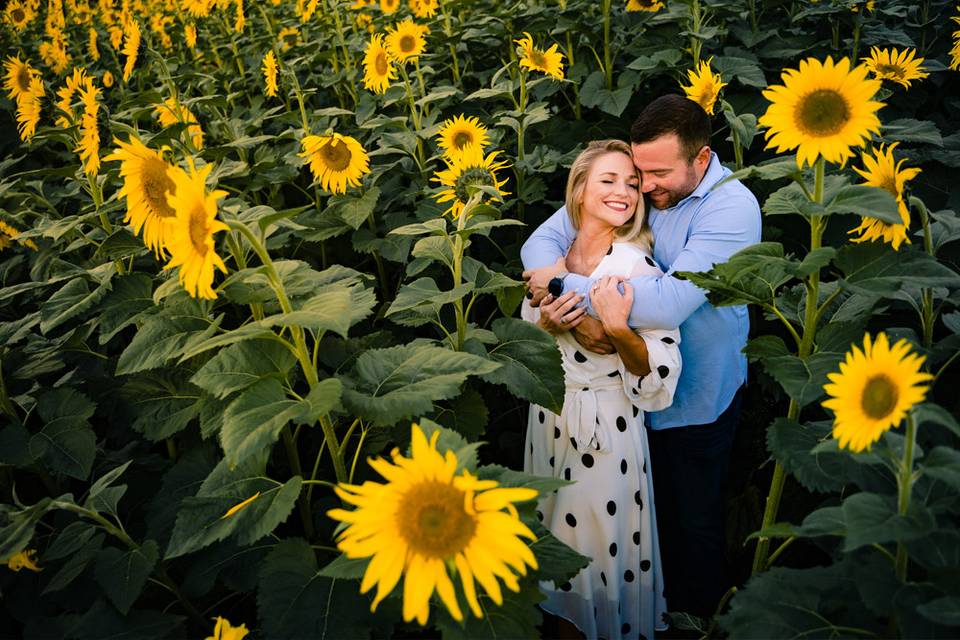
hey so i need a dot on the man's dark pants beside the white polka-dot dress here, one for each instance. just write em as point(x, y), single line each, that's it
point(689, 469)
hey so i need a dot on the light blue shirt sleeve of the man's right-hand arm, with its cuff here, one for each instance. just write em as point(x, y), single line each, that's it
point(716, 233)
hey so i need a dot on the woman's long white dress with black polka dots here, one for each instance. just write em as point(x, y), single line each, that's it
point(599, 442)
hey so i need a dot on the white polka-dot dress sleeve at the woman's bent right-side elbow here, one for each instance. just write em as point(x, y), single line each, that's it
point(655, 390)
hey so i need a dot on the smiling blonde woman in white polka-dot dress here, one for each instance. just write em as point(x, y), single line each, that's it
point(598, 441)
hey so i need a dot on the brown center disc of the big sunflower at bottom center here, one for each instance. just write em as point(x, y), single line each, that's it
point(432, 520)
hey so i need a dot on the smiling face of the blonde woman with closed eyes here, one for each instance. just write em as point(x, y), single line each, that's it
point(612, 190)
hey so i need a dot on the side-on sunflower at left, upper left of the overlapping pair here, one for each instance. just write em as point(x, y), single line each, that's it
point(146, 186)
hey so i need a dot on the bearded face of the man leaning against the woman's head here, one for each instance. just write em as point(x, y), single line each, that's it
point(667, 175)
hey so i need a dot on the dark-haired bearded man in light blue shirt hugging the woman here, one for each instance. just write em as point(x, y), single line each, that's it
point(695, 226)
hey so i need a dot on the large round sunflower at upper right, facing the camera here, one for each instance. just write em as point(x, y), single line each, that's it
point(822, 109)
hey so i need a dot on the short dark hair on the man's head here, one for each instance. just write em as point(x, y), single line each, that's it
point(674, 114)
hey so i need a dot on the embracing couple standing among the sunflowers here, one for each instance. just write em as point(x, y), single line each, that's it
point(653, 372)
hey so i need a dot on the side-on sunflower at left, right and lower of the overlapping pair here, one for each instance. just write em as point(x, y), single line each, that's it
point(190, 236)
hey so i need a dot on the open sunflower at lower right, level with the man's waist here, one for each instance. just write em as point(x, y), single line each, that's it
point(873, 391)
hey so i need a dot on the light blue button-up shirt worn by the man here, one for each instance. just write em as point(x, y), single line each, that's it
point(703, 229)
